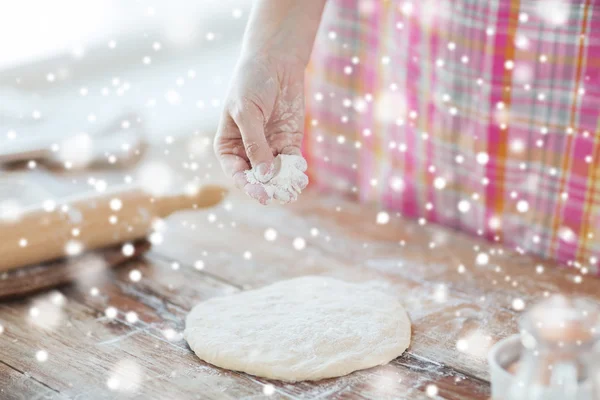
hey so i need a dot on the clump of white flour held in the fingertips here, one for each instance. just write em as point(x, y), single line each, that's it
point(288, 178)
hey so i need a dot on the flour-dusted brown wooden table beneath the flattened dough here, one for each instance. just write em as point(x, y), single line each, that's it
point(458, 308)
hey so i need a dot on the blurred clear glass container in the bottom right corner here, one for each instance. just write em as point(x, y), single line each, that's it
point(559, 358)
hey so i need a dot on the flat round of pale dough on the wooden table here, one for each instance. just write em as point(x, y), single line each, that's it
point(306, 328)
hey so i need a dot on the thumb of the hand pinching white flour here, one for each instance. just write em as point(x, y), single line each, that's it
point(250, 121)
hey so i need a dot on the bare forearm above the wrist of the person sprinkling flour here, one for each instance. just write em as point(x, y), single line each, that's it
point(285, 28)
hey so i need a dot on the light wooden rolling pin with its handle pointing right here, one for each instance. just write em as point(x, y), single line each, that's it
point(90, 222)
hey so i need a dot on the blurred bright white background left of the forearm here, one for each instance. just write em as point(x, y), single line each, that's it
point(71, 67)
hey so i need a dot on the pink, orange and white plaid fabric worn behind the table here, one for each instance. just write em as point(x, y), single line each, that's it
point(479, 115)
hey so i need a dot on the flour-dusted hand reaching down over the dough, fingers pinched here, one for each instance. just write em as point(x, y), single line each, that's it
point(263, 117)
